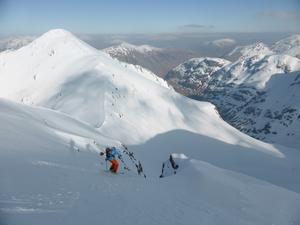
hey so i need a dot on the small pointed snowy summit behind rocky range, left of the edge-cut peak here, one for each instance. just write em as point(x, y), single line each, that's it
point(242, 52)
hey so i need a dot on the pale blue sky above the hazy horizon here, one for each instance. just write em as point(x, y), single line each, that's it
point(149, 16)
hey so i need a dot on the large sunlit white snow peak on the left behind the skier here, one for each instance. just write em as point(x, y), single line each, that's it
point(60, 72)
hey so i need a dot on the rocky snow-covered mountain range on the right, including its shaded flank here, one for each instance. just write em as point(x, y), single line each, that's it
point(258, 92)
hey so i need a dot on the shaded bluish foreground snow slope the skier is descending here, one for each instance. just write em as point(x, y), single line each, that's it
point(50, 174)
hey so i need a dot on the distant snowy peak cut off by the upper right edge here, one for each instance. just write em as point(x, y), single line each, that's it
point(288, 46)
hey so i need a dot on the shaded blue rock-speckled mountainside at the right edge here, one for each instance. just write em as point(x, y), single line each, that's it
point(274, 114)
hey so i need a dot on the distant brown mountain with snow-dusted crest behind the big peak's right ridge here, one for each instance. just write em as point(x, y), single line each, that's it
point(157, 60)
